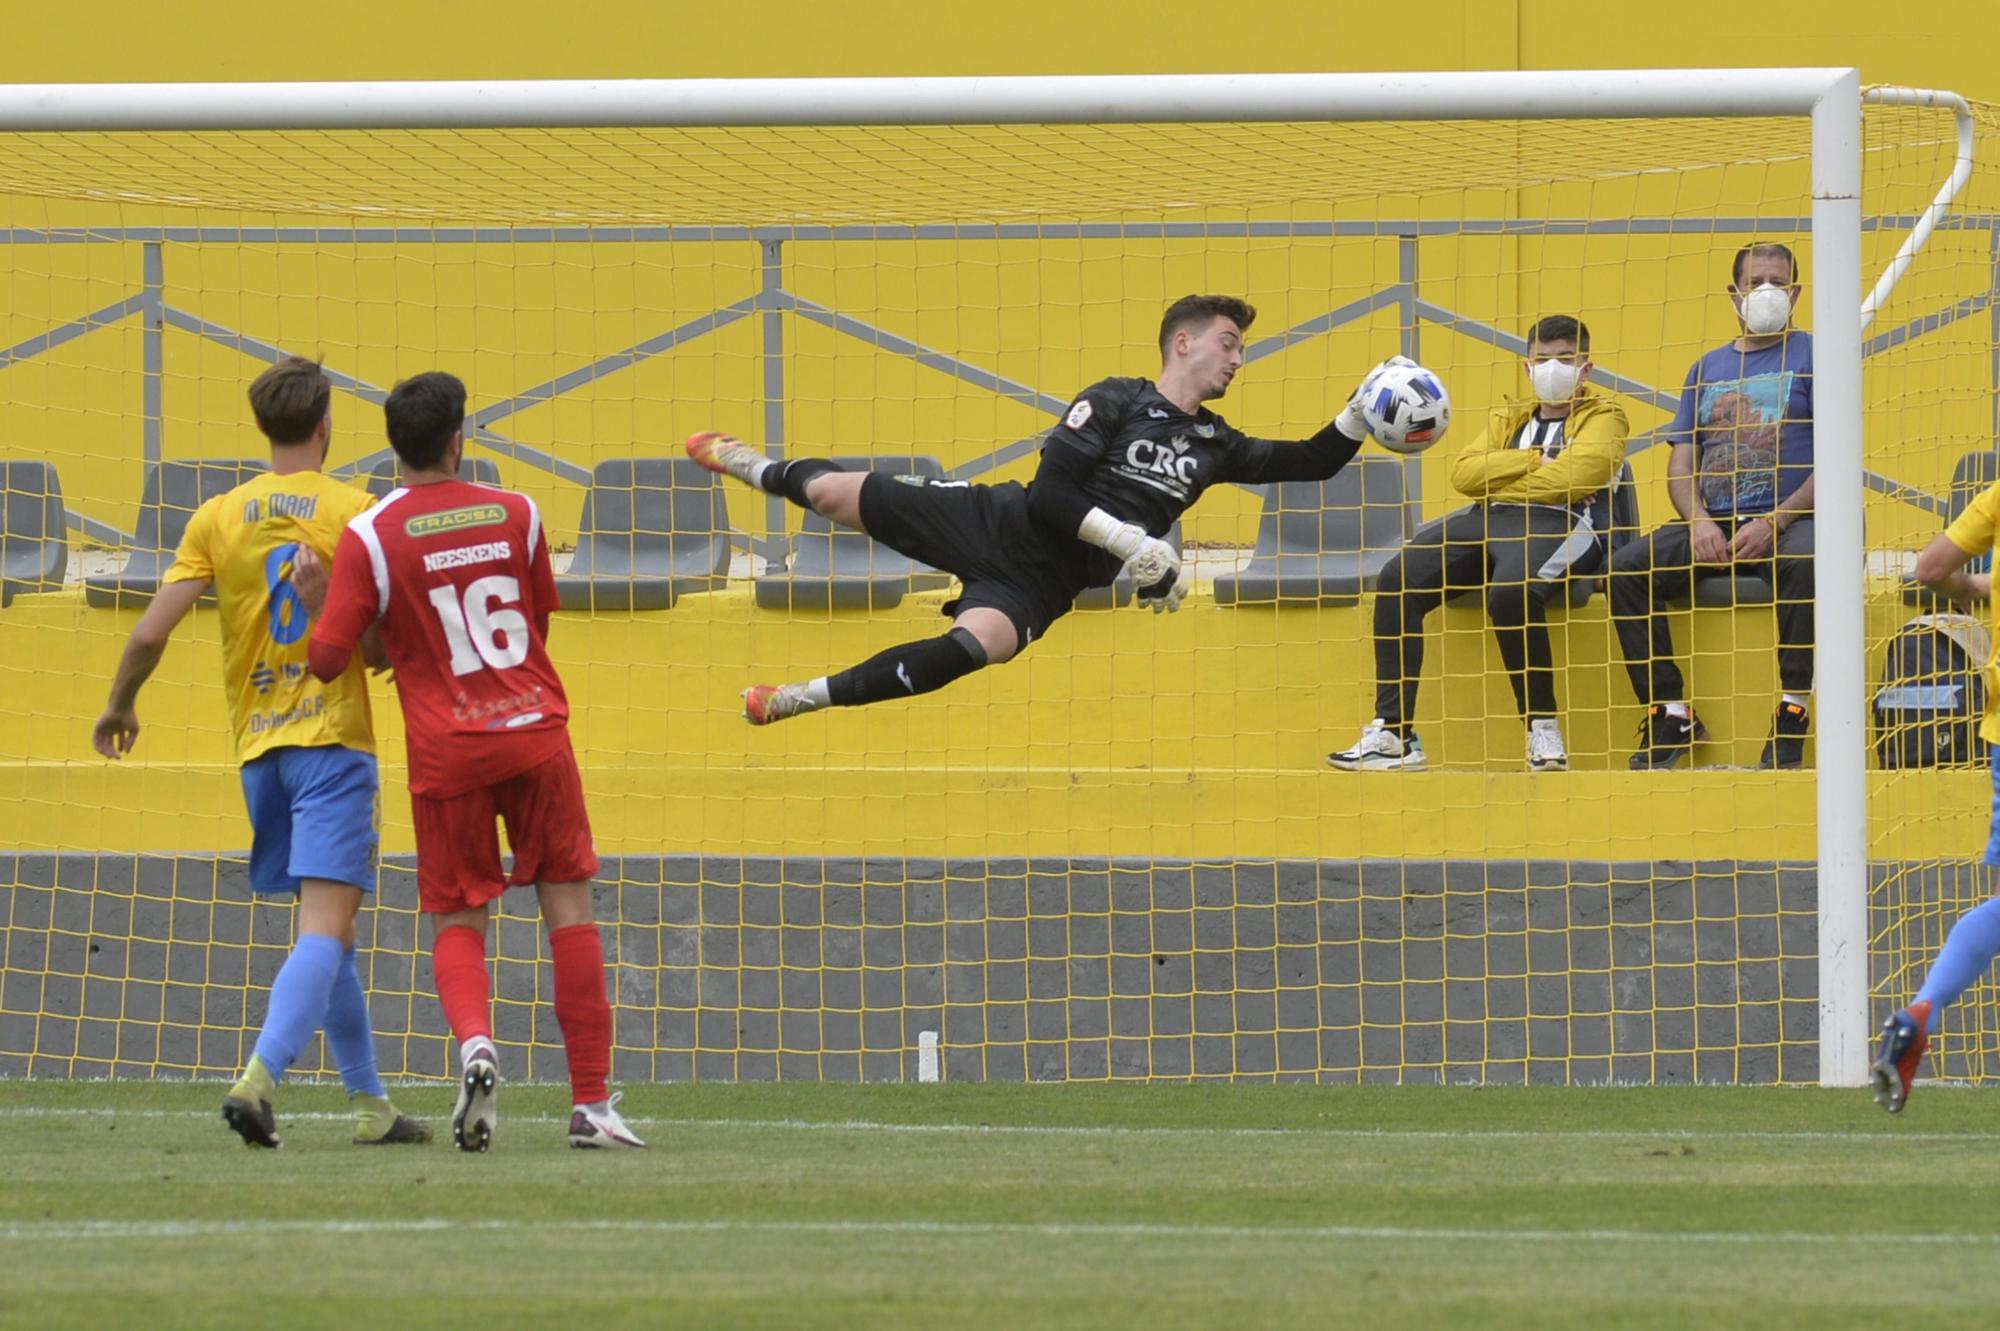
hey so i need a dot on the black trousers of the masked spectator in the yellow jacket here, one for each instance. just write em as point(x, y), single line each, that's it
point(1517, 557)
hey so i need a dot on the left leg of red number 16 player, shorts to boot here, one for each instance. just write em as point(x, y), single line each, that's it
point(457, 880)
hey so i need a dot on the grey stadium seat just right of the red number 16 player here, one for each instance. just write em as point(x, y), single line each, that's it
point(653, 531)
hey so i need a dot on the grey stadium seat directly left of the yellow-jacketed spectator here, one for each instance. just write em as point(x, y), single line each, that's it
point(1323, 543)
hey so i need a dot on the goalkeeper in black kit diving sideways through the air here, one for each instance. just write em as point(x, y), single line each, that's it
point(1127, 461)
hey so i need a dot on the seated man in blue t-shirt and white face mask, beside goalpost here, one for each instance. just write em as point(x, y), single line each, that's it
point(1741, 477)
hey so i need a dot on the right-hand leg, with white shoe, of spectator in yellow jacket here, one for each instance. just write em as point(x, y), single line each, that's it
point(1531, 555)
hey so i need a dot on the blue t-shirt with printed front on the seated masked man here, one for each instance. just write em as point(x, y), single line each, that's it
point(1749, 417)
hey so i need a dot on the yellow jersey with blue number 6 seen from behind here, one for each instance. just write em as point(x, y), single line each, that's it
point(243, 543)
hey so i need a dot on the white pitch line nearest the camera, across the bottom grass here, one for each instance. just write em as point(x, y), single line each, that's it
point(123, 1232)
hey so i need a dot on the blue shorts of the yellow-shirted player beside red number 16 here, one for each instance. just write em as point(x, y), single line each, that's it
point(313, 814)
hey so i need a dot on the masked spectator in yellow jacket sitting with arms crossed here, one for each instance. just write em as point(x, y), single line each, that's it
point(1539, 479)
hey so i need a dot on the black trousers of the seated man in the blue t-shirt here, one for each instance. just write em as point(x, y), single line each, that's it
point(1659, 569)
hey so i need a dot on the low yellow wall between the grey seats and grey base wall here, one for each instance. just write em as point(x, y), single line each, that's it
point(1127, 734)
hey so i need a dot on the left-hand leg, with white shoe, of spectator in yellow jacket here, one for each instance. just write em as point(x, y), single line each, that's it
point(1437, 557)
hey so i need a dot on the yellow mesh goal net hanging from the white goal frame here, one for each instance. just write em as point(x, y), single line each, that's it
point(1121, 856)
